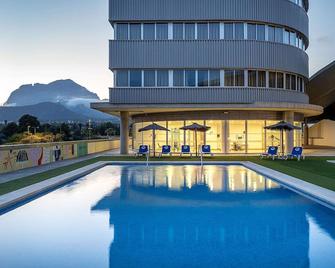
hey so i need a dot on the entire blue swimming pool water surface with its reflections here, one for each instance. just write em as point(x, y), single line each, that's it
point(169, 216)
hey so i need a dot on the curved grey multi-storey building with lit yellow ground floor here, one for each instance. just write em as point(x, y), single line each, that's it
point(233, 65)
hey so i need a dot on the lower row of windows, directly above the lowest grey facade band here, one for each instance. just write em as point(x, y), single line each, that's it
point(208, 78)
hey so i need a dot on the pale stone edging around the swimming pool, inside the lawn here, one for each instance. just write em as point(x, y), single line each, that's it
point(321, 195)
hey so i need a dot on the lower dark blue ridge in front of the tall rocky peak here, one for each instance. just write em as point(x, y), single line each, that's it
point(45, 112)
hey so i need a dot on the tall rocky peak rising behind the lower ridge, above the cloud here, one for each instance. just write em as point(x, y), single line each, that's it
point(57, 91)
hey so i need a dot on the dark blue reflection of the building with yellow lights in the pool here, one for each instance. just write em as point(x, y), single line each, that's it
point(193, 217)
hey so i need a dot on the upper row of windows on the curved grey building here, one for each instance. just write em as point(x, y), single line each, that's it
point(208, 31)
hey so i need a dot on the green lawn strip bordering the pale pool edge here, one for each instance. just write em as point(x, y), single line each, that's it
point(314, 169)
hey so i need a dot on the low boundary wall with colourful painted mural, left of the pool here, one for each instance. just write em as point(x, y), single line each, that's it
point(24, 156)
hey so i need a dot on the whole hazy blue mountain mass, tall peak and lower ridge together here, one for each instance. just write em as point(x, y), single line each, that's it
point(73, 97)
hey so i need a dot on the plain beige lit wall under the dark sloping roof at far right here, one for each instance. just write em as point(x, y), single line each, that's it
point(323, 133)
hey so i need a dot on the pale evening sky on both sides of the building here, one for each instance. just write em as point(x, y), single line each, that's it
point(45, 40)
